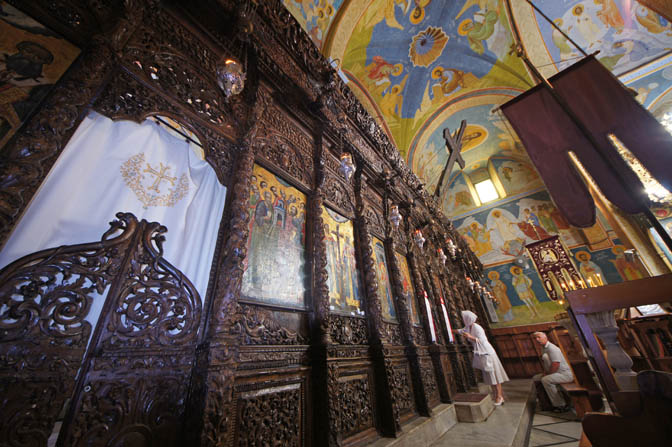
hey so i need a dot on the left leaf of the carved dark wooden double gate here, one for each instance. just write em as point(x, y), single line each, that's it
point(45, 299)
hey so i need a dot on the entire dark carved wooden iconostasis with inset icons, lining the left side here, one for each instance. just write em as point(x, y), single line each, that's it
point(322, 322)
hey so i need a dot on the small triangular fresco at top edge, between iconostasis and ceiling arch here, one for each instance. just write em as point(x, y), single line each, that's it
point(314, 16)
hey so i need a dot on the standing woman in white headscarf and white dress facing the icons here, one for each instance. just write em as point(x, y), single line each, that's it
point(485, 357)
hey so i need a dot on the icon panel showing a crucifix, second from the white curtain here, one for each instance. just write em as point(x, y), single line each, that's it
point(345, 287)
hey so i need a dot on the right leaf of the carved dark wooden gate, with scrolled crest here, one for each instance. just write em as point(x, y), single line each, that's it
point(152, 310)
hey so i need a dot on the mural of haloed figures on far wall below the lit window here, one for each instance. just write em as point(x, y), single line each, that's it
point(500, 233)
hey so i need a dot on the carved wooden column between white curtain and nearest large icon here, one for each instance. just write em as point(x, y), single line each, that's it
point(211, 418)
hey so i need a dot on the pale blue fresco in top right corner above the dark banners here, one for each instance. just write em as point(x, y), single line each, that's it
point(626, 33)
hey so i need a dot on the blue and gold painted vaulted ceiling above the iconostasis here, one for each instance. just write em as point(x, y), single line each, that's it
point(420, 66)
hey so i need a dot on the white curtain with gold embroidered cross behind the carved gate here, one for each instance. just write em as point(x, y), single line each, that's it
point(111, 166)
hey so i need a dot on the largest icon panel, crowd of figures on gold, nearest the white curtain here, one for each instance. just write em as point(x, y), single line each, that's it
point(274, 267)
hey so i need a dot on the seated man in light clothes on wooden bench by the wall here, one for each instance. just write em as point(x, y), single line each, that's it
point(557, 370)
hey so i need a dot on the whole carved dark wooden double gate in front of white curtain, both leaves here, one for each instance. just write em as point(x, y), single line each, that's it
point(127, 382)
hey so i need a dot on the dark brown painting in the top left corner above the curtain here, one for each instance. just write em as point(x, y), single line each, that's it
point(32, 59)
